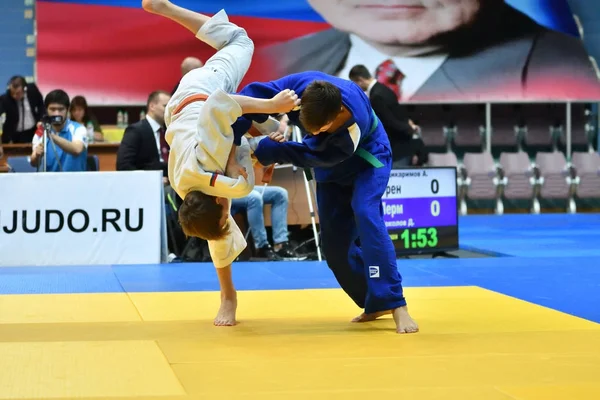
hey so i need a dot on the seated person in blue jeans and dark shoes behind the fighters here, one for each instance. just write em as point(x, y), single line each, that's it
point(253, 204)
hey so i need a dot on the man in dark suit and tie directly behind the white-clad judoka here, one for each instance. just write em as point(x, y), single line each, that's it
point(143, 146)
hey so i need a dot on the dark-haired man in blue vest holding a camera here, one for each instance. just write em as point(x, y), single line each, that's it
point(65, 147)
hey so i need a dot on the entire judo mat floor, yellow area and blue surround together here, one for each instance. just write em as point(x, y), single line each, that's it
point(522, 323)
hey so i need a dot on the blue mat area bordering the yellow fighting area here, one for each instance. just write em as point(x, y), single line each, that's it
point(552, 260)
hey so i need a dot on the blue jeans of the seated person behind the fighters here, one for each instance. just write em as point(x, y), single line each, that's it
point(254, 206)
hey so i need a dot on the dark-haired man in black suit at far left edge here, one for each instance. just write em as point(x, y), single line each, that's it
point(23, 106)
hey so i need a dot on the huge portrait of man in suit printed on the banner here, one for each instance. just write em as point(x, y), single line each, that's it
point(443, 50)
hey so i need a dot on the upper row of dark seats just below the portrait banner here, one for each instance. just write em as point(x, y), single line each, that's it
point(513, 126)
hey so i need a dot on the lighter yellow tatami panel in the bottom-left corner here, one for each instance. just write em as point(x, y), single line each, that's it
point(85, 369)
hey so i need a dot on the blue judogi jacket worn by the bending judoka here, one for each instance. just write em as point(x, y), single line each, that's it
point(336, 157)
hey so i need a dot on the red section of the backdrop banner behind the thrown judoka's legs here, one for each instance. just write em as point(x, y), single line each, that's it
point(118, 55)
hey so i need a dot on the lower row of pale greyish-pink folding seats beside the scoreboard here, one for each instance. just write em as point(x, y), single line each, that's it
point(515, 177)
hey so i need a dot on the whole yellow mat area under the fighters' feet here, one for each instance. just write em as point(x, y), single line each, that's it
point(473, 344)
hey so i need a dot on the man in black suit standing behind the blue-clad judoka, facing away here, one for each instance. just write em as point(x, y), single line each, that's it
point(399, 128)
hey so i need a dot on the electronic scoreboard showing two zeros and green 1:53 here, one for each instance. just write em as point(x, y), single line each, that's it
point(421, 210)
